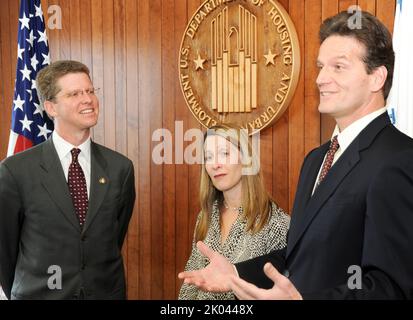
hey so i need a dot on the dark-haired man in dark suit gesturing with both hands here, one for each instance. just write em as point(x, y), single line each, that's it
point(351, 229)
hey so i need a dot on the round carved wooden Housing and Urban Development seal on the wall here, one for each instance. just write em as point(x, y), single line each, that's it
point(239, 62)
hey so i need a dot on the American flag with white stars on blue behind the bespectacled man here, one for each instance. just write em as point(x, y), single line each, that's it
point(30, 124)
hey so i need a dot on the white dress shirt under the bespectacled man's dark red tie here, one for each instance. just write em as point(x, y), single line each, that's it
point(63, 149)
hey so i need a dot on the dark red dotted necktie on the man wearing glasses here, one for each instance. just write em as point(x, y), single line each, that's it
point(77, 187)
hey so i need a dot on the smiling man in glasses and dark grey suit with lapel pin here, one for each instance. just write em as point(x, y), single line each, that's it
point(65, 204)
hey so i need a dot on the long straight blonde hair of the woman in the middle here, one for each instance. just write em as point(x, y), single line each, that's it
point(255, 200)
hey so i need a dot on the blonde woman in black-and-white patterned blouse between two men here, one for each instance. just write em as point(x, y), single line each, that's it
point(238, 218)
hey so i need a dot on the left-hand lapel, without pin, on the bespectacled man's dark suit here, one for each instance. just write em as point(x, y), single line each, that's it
point(54, 182)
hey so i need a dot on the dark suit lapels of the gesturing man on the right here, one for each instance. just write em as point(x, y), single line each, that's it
point(305, 211)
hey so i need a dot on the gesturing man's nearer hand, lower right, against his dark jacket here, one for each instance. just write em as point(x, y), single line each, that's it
point(283, 289)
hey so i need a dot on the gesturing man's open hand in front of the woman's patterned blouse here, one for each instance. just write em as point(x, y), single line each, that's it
point(215, 277)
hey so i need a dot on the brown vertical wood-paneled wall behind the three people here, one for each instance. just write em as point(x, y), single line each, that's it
point(131, 47)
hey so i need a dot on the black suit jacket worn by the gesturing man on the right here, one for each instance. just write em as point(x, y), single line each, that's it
point(360, 215)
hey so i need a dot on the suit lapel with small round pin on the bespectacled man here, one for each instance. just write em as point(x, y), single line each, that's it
point(99, 184)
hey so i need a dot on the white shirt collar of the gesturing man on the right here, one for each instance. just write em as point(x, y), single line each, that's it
point(346, 137)
